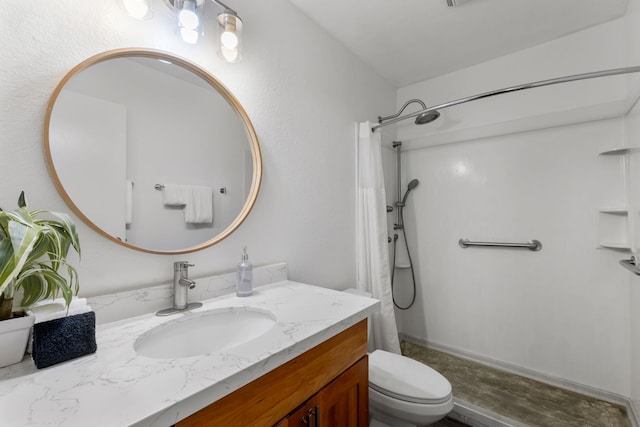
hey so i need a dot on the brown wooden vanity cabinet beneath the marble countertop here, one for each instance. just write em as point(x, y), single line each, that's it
point(328, 382)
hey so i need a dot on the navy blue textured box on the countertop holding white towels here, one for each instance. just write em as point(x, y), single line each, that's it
point(58, 340)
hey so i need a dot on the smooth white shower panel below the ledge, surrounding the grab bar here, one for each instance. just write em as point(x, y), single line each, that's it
point(562, 311)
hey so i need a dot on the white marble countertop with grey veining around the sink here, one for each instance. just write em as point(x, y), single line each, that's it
point(117, 387)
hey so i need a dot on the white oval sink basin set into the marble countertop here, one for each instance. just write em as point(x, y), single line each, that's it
point(204, 333)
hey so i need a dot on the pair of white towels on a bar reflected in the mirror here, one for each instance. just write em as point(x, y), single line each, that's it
point(197, 201)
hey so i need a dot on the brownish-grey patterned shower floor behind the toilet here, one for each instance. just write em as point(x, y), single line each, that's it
point(499, 394)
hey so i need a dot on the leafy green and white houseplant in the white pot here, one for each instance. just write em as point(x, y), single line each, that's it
point(33, 247)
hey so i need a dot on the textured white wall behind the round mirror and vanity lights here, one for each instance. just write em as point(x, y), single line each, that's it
point(303, 98)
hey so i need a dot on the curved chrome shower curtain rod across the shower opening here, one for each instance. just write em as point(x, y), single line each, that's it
point(574, 77)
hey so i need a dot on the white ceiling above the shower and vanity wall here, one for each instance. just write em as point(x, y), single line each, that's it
point(407, 41)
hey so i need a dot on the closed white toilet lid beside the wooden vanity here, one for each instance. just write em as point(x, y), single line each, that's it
point(406, 379)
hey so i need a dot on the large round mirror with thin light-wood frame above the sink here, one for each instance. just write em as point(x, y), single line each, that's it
point(152, 151)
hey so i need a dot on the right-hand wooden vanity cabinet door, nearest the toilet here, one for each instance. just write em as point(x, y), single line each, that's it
point(345, 401)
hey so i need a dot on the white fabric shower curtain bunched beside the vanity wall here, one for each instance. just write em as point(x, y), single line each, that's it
point(373, 273)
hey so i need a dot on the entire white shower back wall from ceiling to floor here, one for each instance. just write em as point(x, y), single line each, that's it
point(523, 167)
